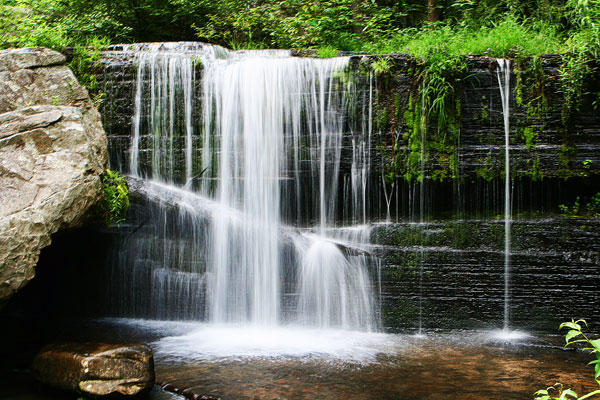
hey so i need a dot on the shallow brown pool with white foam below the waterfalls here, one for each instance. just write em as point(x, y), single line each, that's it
point(232, 362)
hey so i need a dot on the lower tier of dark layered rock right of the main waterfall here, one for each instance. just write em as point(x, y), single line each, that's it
point(554, 265)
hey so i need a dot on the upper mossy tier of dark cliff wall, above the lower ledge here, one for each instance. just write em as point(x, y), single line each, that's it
point(555, 155)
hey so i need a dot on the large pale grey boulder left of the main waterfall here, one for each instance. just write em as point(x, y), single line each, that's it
point(52, 153)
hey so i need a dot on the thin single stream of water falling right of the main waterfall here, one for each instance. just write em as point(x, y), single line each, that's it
point(503, 74)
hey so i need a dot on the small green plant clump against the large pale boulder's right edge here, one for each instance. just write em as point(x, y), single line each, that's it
point(115, 198)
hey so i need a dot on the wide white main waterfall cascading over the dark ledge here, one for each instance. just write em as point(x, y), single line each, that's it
point(249, 216)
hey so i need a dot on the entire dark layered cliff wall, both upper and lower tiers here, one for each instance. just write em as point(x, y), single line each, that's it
point(555, 158)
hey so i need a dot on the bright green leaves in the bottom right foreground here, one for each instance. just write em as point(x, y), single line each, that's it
point(574, 335)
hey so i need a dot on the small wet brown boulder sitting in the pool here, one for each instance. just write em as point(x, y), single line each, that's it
point(96, 369)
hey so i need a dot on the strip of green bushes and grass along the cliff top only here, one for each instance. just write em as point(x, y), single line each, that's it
point(497, 28)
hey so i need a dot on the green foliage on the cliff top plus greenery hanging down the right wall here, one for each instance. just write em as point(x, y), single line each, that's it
point(518, 29)
